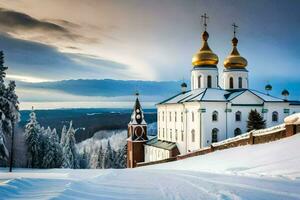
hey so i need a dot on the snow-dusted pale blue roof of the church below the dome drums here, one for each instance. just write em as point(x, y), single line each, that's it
point(220, 95)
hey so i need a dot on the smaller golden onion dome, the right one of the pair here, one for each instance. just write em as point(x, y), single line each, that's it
point(234, 60)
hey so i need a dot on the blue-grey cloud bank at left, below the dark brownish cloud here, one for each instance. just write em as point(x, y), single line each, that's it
point(38, 60)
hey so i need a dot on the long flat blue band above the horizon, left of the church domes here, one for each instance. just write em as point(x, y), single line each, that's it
point(107, 87)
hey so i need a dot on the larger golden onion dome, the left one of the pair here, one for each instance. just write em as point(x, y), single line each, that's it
point(205, 56)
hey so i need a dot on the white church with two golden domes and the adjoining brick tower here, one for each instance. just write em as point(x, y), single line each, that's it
point(216, 108)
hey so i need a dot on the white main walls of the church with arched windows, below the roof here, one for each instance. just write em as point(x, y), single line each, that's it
point(191, 124)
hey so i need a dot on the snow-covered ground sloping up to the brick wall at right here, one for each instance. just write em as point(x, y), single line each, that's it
point(265, 171)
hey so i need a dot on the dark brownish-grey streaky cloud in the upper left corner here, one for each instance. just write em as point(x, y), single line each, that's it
point(23, 26)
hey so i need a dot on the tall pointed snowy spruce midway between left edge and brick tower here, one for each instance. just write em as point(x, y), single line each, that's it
point(70, 155)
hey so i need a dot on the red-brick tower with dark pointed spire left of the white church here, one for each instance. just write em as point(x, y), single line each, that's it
point(137, 135)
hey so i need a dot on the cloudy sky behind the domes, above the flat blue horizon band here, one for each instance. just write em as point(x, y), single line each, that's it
point(53, 40)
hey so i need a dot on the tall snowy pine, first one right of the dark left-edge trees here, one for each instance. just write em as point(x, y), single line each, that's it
point(32, 133)
